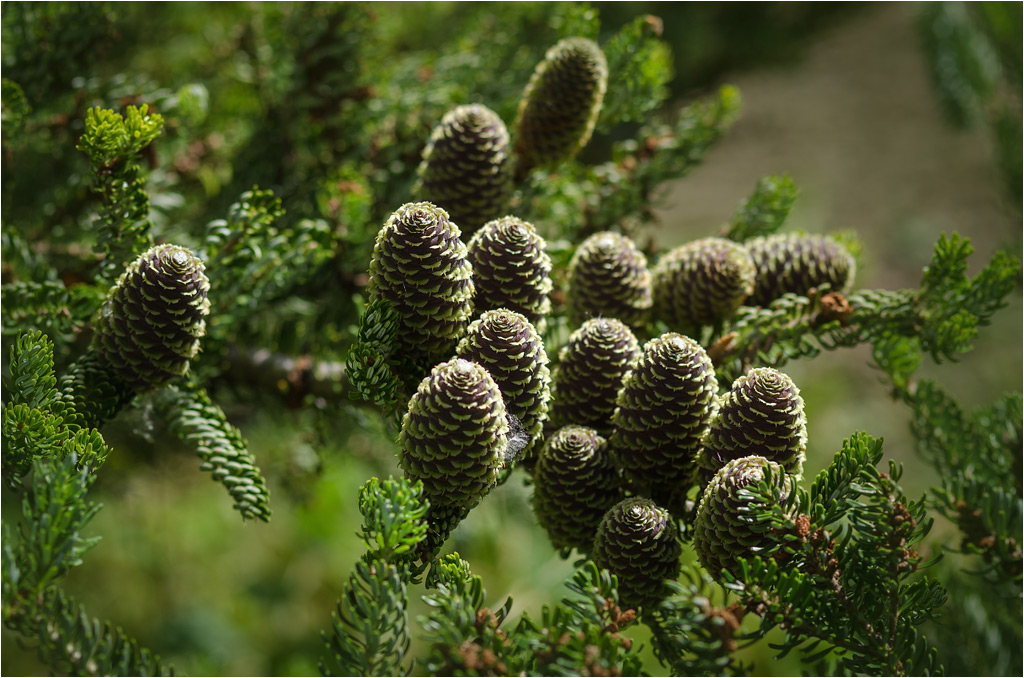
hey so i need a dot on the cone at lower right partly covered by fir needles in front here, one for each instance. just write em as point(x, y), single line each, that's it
point(724, 528)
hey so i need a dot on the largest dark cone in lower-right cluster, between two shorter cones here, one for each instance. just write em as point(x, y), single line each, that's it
point(663, 410)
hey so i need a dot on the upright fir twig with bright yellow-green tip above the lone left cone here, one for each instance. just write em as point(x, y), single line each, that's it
point(113, 144)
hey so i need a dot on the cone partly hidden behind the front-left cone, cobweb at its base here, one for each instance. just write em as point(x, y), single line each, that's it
point(507, 346)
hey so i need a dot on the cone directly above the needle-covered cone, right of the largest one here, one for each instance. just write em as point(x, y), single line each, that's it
point(762, 415)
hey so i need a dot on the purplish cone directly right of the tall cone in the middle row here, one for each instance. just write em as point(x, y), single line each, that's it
point(511, 270)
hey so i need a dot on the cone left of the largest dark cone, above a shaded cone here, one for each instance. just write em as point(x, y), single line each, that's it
point(590, 372)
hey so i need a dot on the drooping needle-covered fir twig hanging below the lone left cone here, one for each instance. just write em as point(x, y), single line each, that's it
point(201, 423)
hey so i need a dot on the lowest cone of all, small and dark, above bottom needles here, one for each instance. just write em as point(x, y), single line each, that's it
point(637, 541)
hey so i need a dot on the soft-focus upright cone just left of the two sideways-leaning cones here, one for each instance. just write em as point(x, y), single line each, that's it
point(609, 278)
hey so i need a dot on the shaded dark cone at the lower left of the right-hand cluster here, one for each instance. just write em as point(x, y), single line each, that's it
point(575, 484)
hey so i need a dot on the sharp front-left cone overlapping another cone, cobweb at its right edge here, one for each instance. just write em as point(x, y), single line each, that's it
point(455, 435)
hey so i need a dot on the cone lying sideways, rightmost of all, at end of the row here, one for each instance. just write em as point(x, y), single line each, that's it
point(791, 263)
